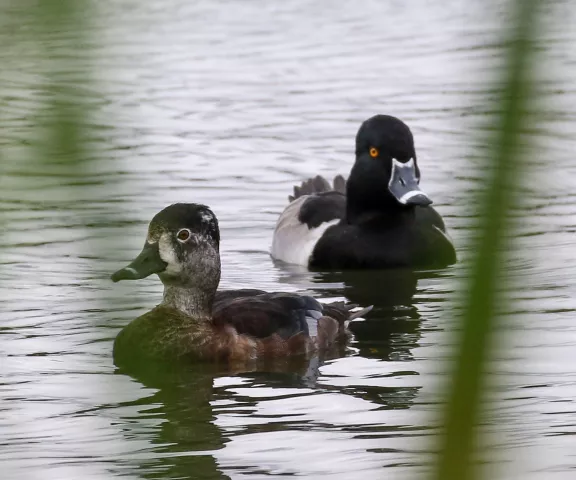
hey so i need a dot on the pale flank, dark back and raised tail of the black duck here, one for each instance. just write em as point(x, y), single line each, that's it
point(314, 207)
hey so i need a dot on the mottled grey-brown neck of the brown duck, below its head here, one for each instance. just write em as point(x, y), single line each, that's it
point(193, 301)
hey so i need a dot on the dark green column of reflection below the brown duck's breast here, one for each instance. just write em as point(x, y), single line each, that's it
point(186, 432)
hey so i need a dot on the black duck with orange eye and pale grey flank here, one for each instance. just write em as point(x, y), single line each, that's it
point(379, 218)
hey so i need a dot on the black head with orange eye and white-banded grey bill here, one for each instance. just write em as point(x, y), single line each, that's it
point(386, 173)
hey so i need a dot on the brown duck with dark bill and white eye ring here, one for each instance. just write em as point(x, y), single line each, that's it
point(194, 321)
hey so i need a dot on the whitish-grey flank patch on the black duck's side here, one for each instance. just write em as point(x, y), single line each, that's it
point(293, 242)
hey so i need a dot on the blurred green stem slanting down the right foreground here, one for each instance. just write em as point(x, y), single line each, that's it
point(479, 318)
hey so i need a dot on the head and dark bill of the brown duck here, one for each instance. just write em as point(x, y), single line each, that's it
point(182, 247)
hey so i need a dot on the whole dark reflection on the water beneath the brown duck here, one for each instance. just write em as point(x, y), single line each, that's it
point(182, 403)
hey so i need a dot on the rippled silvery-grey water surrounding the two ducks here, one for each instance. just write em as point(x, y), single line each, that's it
point(230, 104)
